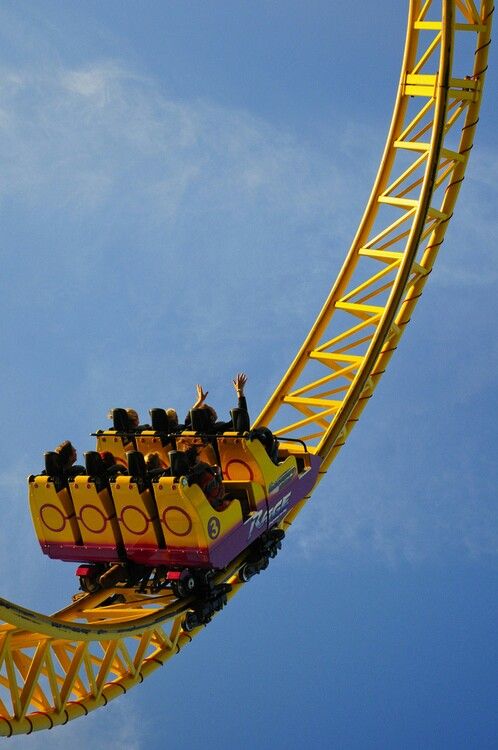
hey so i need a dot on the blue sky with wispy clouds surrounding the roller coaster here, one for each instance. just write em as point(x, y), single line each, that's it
point(180, 183)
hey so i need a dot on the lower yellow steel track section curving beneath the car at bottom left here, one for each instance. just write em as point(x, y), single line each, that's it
point(55, 669)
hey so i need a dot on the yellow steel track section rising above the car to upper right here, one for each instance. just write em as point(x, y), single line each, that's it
point(335, 372)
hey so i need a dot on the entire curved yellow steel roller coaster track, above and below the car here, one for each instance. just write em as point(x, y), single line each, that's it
point(54, 669)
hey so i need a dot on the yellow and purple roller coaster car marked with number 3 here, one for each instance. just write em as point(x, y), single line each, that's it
point(168, 525)
